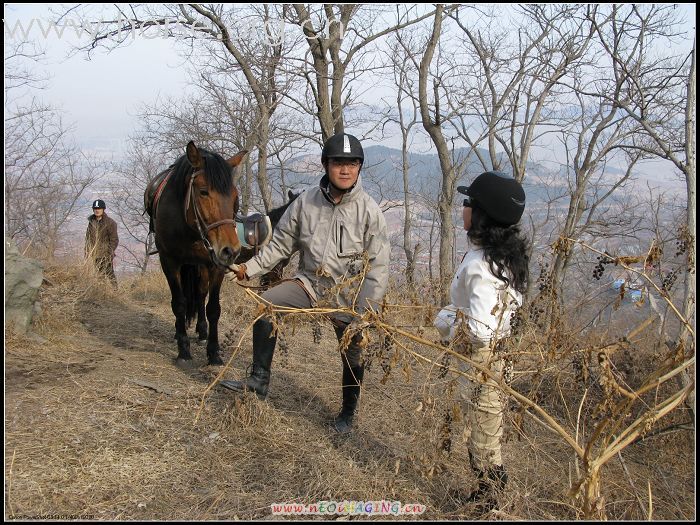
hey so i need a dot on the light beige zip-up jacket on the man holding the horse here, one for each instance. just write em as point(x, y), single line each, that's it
point(332, 238)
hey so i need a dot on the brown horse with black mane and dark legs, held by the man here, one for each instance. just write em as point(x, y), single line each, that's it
point(192, 206)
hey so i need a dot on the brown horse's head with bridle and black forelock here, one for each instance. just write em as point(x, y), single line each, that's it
point(212, 202)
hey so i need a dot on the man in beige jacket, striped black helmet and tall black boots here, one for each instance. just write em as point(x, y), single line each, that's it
point(334, 226)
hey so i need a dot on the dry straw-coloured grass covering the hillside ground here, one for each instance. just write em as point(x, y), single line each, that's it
point(100, 423)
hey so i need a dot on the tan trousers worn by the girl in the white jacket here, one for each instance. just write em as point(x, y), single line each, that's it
point(483, 404)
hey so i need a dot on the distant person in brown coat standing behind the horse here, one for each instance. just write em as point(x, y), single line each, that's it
point(101, 240)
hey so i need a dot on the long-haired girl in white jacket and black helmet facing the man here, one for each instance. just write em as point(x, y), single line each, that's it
point(487, 289)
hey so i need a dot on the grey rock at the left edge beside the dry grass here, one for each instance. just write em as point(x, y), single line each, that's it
point(23, 277)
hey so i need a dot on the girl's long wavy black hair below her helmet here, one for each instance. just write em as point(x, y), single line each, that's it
point(505, 248)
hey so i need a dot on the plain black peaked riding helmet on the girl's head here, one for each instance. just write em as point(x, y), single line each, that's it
point(498, 194)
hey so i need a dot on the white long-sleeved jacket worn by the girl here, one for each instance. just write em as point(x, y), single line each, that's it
point(486, 303)
